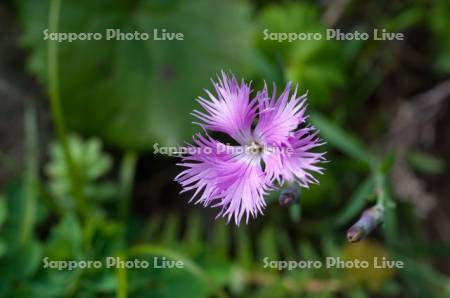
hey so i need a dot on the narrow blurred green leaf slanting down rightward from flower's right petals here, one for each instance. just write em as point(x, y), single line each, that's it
point(340, 139)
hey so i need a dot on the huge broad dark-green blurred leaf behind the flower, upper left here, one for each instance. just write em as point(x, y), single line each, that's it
point(135, 93)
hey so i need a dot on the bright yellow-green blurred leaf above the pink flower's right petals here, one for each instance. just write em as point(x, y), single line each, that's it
point(318, 65)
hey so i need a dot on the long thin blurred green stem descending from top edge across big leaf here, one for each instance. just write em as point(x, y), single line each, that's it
point(56, 110)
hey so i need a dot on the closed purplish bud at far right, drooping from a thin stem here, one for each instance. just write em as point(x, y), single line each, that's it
point(368, 221)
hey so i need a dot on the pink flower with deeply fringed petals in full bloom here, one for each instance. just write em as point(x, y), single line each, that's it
point(267, 154)
